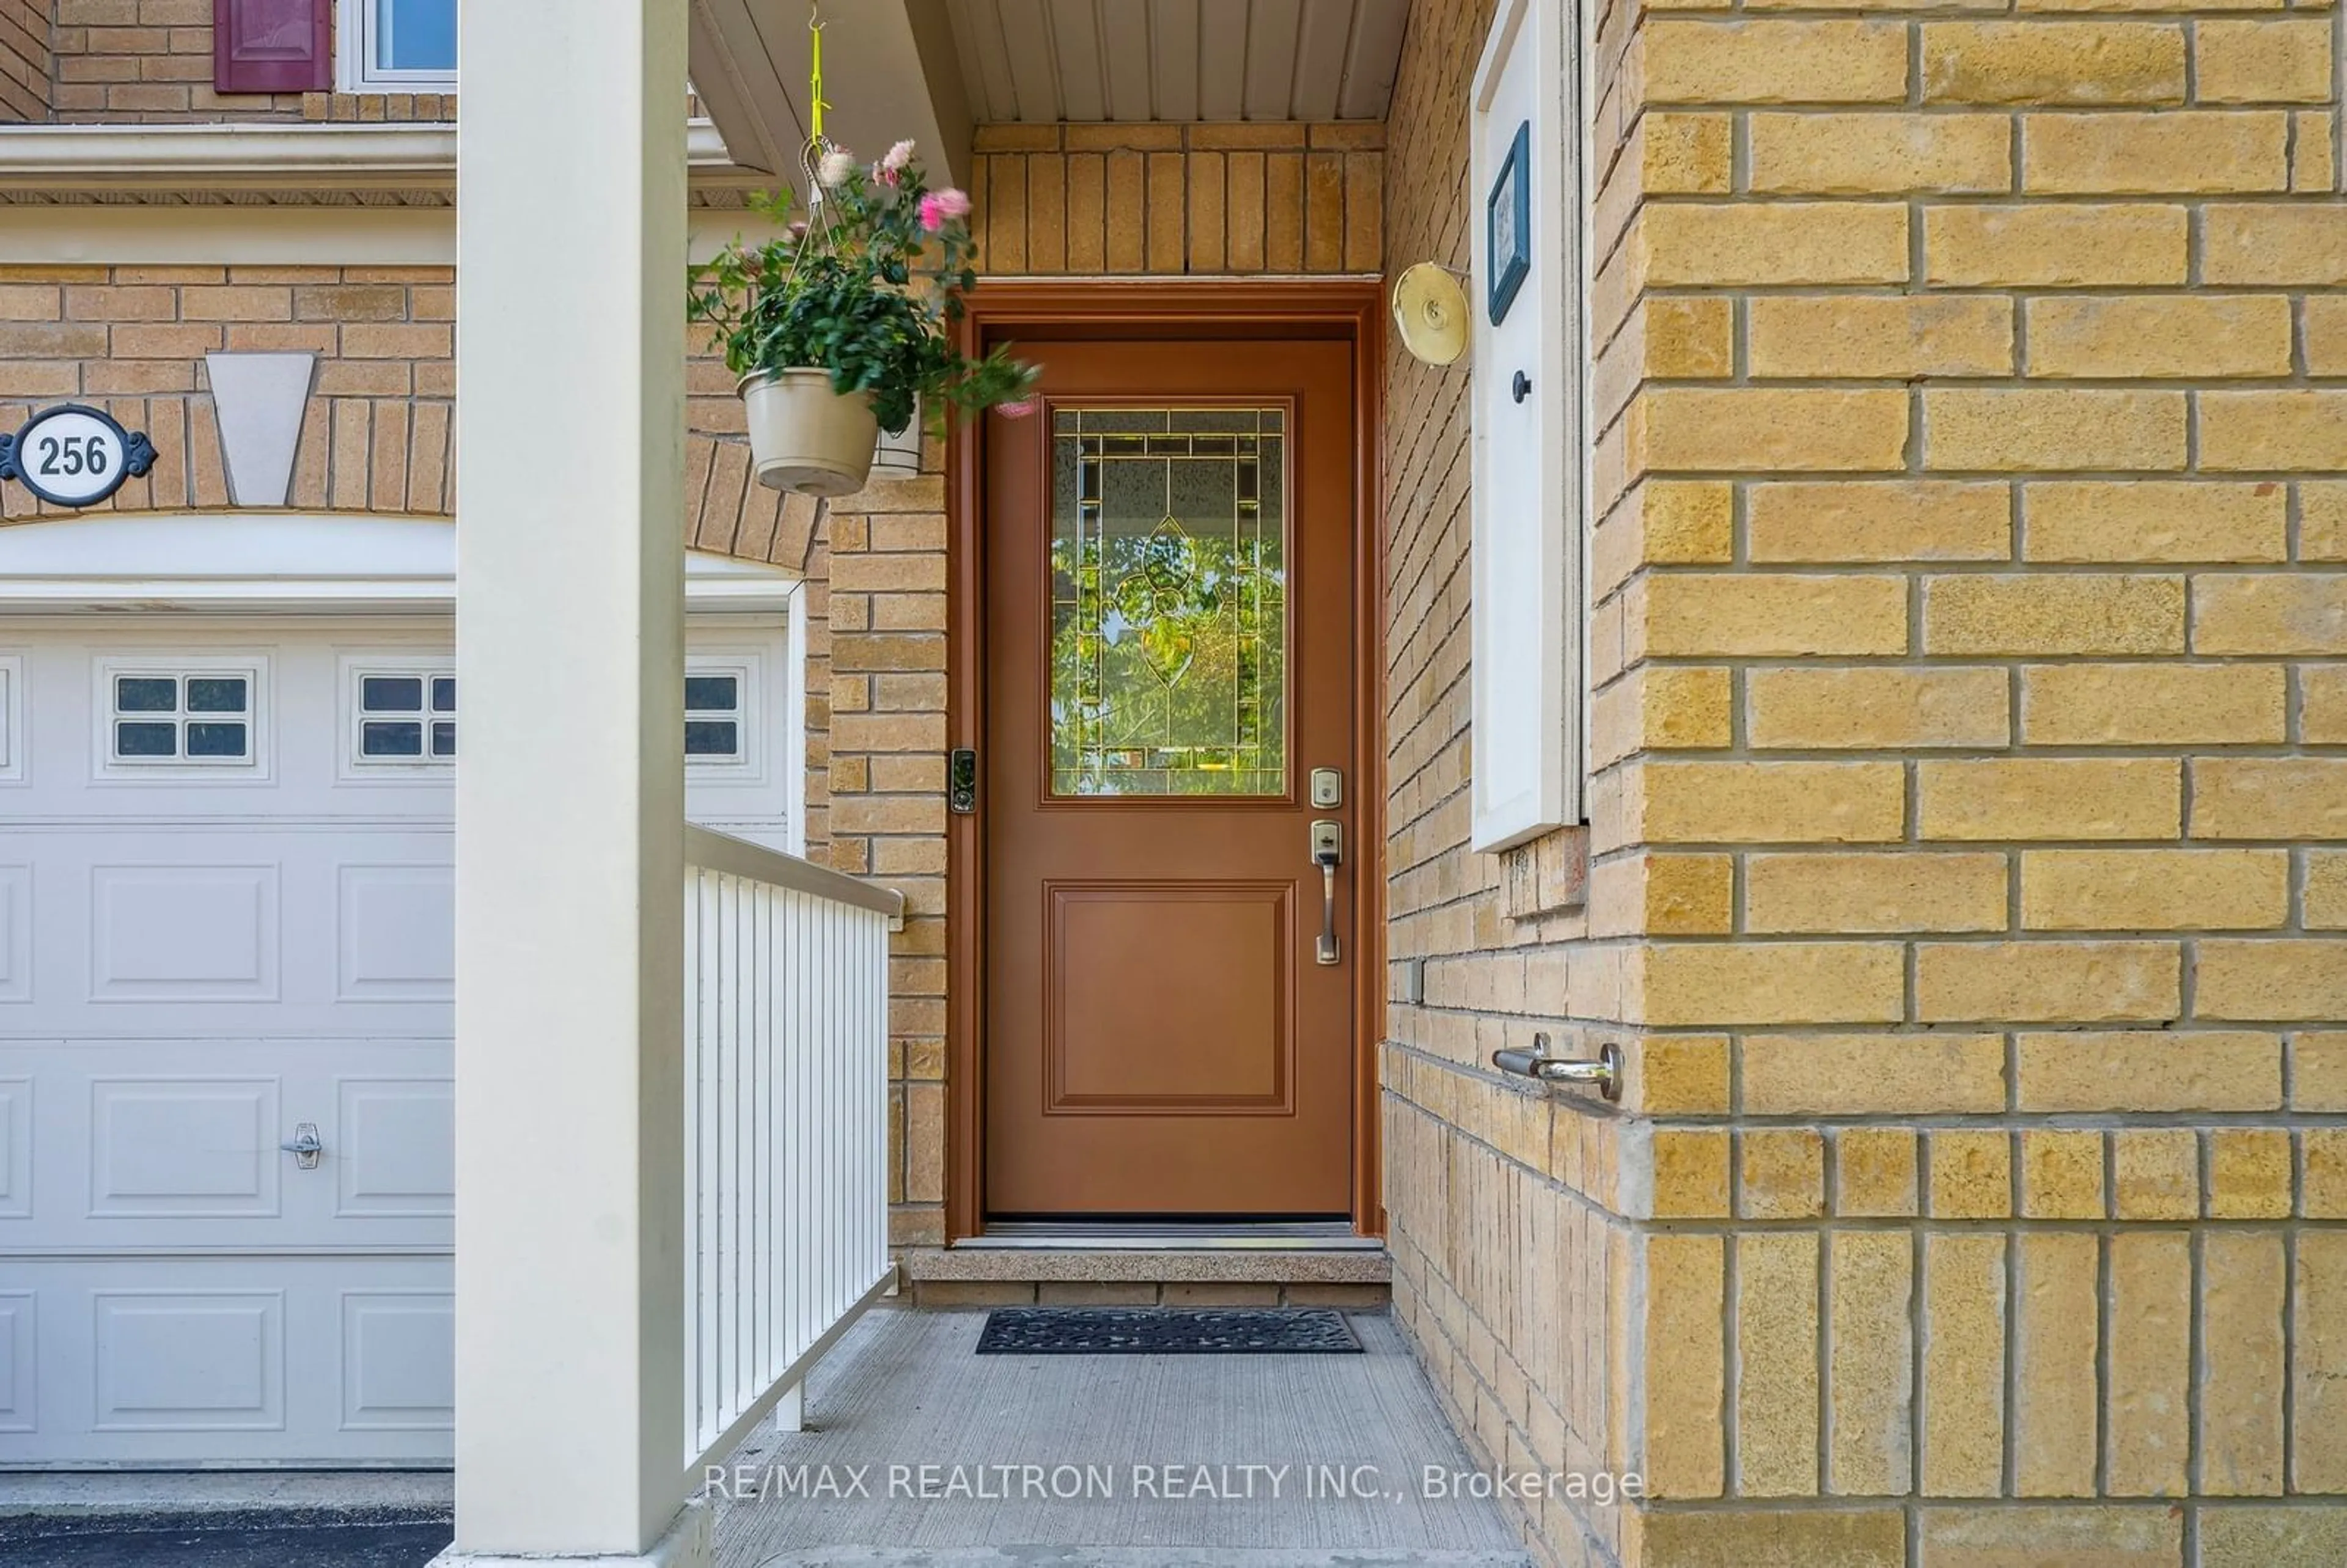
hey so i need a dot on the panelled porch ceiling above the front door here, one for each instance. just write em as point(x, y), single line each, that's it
point(1179, 60)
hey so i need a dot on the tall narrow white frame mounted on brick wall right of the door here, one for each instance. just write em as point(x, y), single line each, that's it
point(1529, 673)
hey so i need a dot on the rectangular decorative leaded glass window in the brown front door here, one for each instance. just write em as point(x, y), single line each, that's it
point(1170, 611)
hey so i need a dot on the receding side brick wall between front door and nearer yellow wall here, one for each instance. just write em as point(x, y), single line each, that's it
point(1515, 1257)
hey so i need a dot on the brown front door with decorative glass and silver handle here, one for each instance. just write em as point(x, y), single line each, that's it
point(1170, 656)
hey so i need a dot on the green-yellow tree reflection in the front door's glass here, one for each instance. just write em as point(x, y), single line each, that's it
point(1168, 668)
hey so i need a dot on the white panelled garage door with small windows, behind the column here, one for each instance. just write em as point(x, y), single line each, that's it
point(224, 928)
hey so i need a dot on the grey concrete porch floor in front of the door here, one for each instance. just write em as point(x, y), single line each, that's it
point(905, 1391)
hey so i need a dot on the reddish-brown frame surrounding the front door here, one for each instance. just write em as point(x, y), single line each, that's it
point(1348, 309)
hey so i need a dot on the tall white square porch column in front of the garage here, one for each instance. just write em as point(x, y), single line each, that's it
point(569, 1006)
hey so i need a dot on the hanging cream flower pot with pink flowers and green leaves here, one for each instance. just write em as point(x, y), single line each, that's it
point(860, 288)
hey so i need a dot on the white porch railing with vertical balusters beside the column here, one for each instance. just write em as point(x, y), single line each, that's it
point(785, 1126)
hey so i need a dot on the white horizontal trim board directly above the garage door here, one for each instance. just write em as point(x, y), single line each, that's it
point(288, 565)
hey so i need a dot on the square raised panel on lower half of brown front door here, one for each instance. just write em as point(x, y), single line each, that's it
point(1170, 999)
